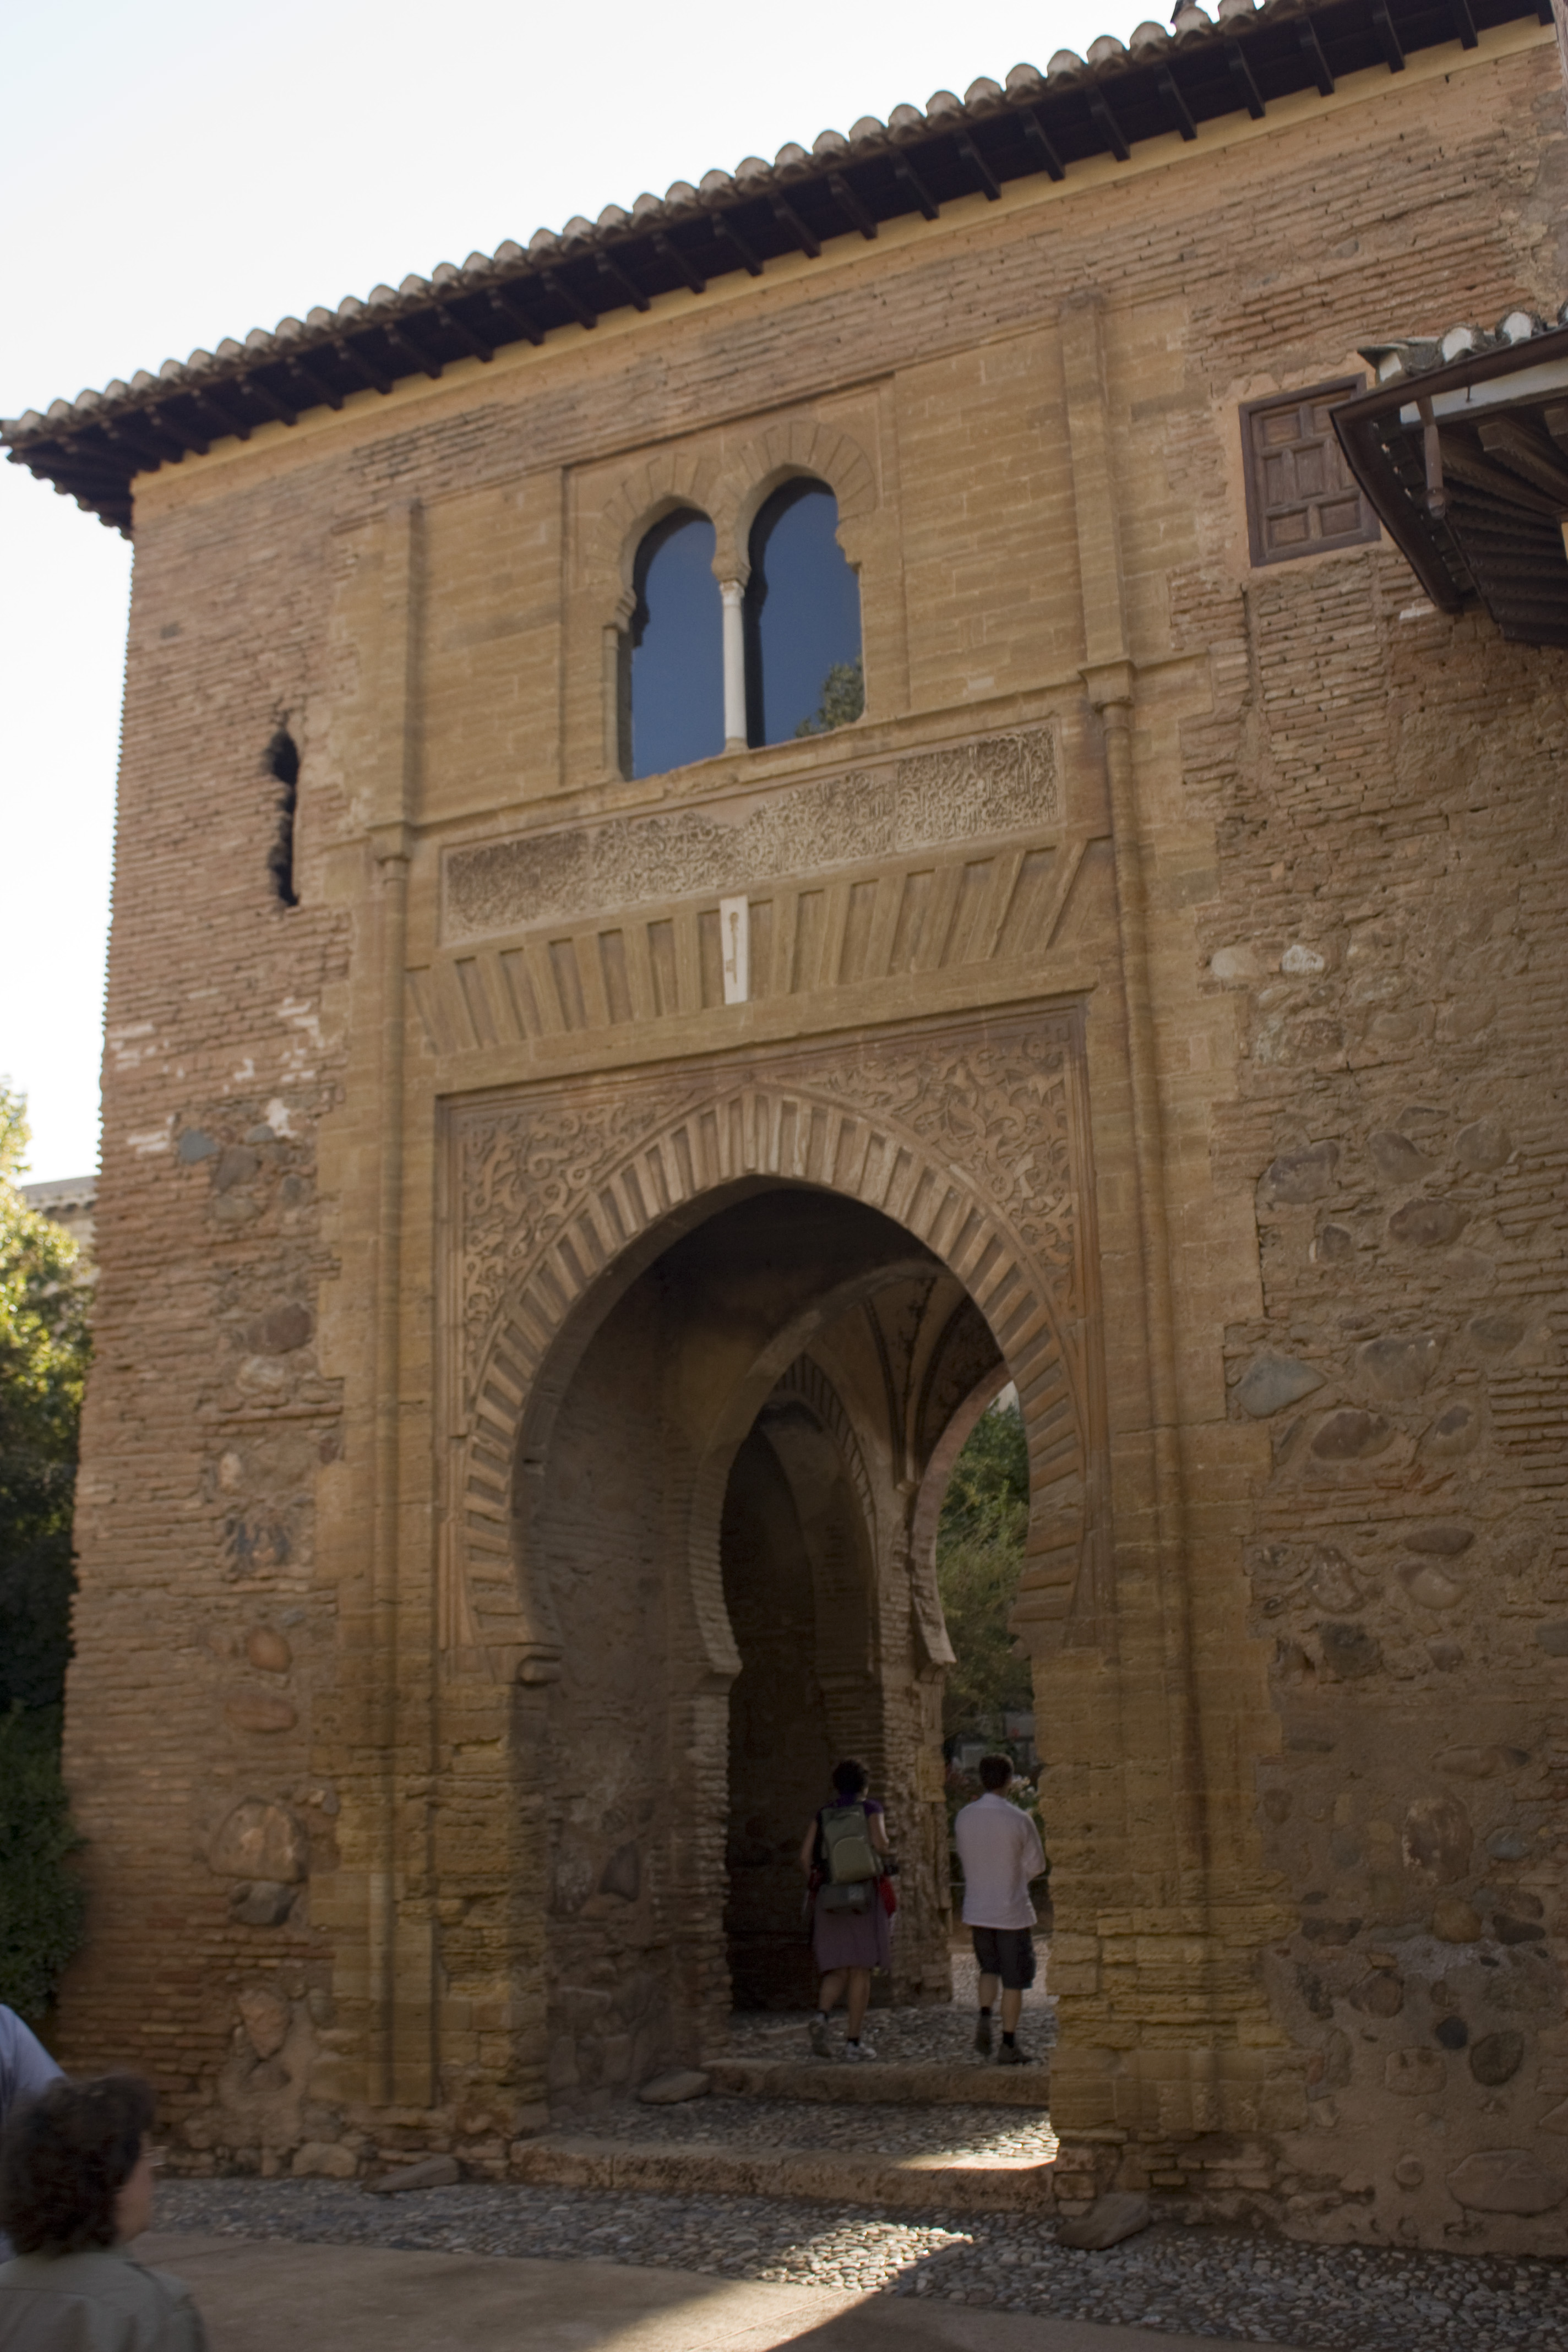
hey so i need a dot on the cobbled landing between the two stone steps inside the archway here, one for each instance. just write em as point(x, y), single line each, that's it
point(789, 2123)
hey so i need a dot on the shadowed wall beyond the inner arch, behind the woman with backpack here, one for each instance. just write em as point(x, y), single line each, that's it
point(862, 1671)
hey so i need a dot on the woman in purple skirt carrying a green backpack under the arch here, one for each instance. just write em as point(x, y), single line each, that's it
point(847, 1857)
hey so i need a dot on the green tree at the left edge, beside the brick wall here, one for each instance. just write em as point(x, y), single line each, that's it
point(43, 1365)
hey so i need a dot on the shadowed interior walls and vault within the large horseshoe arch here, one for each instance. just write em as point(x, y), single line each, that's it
point(695, 1716)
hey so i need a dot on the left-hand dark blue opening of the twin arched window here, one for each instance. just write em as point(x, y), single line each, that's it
point(676, 669)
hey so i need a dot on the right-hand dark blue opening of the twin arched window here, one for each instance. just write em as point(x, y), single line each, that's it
point(803, 620)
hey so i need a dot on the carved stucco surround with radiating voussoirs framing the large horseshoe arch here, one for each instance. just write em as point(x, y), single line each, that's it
point(974, 1140)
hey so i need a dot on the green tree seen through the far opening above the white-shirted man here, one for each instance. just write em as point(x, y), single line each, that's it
point(979, 1556)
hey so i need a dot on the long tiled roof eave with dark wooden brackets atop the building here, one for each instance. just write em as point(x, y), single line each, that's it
point(1038, 126)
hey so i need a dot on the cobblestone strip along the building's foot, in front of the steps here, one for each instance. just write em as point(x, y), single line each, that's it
point(1195, 2283)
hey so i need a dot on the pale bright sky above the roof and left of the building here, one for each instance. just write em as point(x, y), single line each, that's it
point(170, 178)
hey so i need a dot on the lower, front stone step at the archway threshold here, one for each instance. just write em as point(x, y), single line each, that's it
point(918, 2184)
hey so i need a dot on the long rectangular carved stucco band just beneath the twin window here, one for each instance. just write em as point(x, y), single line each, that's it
point(972, 791)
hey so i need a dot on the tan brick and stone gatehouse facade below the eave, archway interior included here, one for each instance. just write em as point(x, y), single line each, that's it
point(528, 1368)
